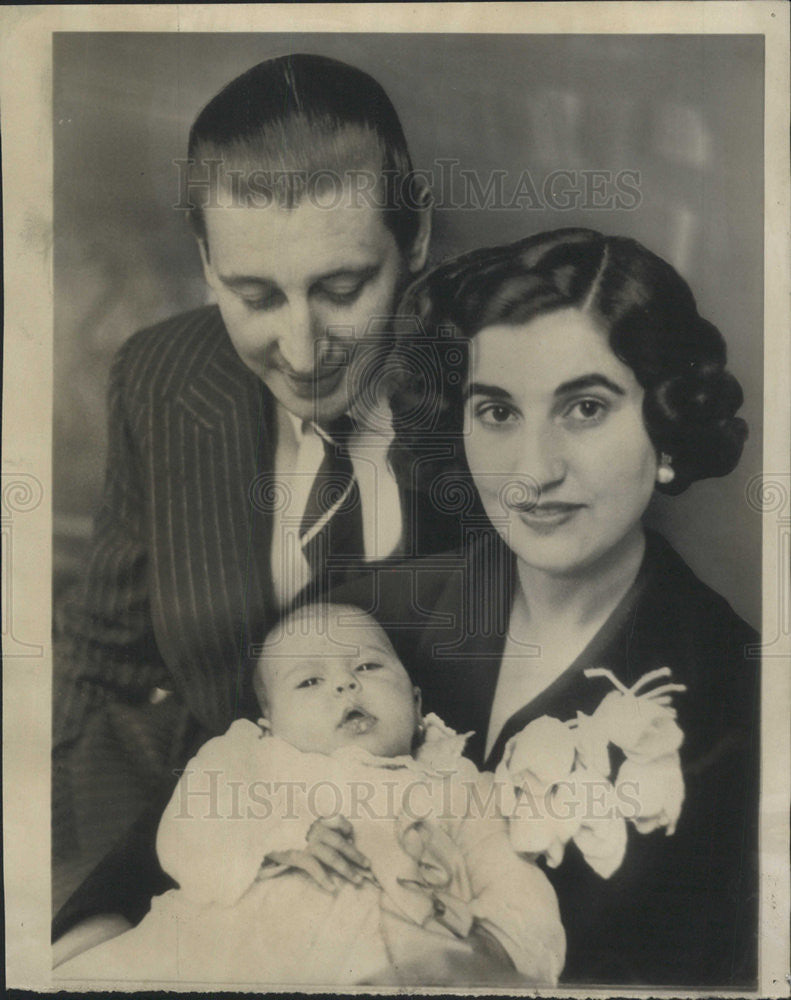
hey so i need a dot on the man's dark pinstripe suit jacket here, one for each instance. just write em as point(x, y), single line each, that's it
point(178, 583)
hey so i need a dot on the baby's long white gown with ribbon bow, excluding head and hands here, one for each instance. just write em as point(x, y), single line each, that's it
point(439, 853)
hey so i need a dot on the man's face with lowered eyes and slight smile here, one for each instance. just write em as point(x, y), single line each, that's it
point(296, 288)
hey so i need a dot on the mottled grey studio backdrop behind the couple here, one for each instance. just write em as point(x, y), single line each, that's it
point(659, 138)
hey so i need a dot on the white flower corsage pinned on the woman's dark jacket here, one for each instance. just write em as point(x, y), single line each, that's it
point(558, 782)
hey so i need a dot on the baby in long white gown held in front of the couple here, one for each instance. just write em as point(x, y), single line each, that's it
point(334, 843)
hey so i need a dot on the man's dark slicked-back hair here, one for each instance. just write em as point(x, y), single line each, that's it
point(295, 120)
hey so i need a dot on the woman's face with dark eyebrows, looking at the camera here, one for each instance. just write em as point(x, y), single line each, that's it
point(555, 441)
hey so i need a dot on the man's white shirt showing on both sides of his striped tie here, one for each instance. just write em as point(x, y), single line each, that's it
point(299, 454)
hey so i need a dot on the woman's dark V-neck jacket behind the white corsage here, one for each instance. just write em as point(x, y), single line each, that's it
point(682, 910)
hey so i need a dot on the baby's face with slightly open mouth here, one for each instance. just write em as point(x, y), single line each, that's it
point(339, 689)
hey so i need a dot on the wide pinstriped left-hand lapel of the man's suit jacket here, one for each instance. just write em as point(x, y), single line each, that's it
point(218, 525)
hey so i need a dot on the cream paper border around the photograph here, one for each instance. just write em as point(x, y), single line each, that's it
point(26, 101)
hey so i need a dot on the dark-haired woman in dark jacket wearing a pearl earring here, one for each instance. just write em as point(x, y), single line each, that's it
point(582, 378)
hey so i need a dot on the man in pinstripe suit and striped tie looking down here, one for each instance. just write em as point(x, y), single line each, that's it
point(224, 424)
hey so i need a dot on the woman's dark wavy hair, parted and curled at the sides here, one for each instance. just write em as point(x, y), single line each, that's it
point(642, 304)
